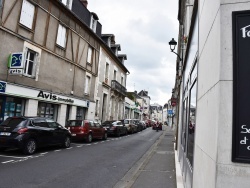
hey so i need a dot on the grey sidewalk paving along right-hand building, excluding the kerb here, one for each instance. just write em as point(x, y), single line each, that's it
point(159, 170)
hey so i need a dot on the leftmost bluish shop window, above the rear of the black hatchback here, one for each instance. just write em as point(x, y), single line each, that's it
point(14, 107)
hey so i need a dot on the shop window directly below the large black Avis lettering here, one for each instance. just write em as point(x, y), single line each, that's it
point(47, 110)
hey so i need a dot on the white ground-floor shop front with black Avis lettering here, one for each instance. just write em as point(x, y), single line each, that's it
point(16, 100)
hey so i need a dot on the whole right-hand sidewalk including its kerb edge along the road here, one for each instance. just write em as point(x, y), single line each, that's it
point(157, 168)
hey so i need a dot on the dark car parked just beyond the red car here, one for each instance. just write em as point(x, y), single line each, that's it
point(115, 128)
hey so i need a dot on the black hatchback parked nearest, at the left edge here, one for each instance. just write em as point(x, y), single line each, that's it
point(29, 133)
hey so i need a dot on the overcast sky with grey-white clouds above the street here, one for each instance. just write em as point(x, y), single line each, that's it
point(143, 28)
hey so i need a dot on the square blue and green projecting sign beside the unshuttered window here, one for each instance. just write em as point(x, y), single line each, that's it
point(15, 63)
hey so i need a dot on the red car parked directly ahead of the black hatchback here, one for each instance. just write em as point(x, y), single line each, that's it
point(86, 130)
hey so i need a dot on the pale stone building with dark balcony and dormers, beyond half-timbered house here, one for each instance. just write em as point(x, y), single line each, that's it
point(111, 82)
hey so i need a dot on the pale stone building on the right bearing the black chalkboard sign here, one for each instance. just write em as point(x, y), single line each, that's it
point(211, 90)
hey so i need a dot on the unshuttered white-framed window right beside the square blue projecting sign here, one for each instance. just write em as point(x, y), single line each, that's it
point(30, 63)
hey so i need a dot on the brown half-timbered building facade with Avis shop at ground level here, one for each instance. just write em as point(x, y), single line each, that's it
point(49, 60)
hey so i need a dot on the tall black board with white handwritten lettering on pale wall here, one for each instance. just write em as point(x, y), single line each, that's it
point(241, 87)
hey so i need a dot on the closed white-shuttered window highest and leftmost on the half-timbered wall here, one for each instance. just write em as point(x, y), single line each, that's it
point(27, 14)
